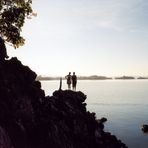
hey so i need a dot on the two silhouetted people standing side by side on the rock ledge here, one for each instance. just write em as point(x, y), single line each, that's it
point(71, 79)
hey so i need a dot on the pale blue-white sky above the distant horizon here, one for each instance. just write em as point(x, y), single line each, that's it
point(89, 37)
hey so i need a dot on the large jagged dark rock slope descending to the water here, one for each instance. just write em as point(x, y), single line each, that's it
point(28, 119)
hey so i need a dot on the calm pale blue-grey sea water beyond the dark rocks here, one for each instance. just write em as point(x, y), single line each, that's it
point(123, 102)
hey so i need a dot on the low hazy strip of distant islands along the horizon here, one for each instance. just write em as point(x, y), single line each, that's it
point(92, 77)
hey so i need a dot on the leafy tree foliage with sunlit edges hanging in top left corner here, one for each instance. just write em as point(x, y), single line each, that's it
point(12, 18)
